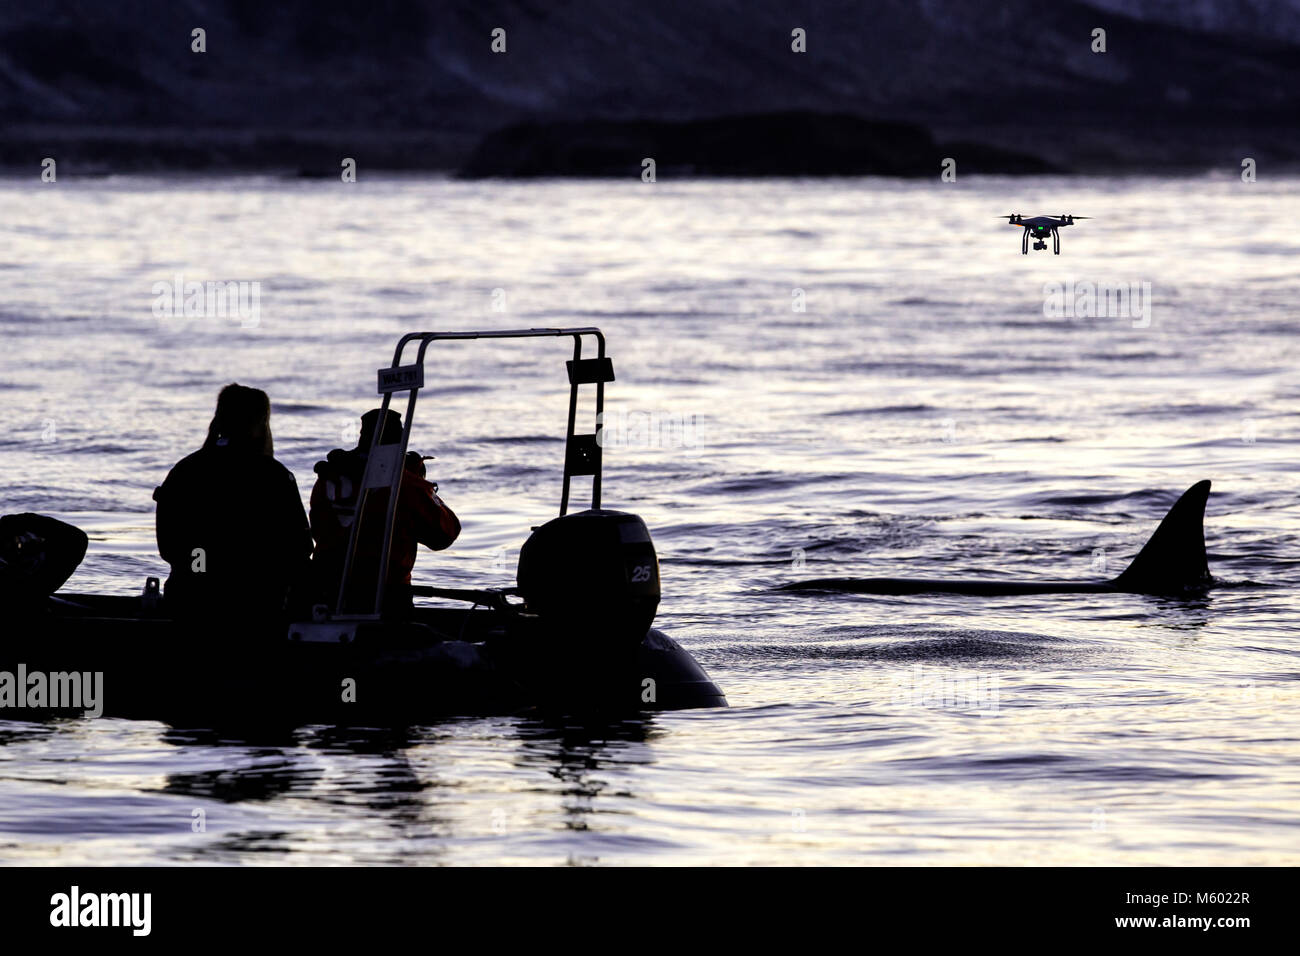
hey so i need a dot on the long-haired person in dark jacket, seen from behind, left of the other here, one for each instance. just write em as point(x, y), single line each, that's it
point(229, 520)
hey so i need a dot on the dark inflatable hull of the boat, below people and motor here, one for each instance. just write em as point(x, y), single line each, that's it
point(445, 663)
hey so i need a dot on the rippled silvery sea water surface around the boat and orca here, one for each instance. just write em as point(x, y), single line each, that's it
point(921, 417)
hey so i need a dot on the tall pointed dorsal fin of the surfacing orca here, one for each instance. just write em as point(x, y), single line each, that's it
point(1173, 560)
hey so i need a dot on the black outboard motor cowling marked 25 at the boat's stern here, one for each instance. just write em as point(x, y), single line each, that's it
point(592, 576)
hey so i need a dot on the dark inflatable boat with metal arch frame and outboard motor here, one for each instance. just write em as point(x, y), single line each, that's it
point(574, 637)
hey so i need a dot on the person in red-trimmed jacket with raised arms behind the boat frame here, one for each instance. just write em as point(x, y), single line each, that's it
point(422, 518)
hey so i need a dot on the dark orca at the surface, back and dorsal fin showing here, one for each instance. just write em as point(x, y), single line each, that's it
point(1172, 563)
